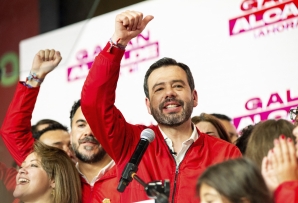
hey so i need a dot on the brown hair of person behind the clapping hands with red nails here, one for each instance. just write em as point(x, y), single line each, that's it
point(262, 136)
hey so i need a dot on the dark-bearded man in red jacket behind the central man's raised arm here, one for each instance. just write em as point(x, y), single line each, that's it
point(97, 169)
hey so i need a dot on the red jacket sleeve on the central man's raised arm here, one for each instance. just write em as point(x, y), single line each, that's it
point(97, 103)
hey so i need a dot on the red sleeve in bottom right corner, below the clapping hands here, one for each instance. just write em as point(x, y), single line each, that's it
point(286, 192)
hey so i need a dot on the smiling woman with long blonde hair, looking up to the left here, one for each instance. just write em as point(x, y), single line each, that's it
point(48, 175)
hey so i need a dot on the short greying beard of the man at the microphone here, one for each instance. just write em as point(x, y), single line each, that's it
point(172, 120)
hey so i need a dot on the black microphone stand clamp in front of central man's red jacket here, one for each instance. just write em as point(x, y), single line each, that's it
point(155, 189)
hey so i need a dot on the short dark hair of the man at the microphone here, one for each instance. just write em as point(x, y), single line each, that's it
point(168, 62)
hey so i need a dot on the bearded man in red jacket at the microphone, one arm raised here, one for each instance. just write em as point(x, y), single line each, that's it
point(179, 152)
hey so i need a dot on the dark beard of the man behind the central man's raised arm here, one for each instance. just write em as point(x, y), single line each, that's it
point(94, 158)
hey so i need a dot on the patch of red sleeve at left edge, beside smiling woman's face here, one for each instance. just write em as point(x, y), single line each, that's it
point(8, 177)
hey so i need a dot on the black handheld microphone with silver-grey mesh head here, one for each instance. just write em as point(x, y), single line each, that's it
point(131, 167)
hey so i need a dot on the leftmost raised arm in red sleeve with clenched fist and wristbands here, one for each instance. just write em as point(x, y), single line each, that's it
point(16, 128)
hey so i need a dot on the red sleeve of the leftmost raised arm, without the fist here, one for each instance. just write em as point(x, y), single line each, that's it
point(16, 127)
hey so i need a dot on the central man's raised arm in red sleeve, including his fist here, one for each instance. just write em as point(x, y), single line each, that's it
point(98, 93)
